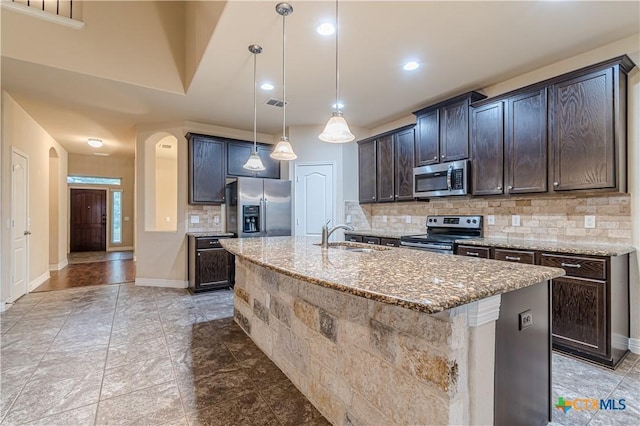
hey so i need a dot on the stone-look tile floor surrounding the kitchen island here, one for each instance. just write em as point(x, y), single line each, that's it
point(122, 354)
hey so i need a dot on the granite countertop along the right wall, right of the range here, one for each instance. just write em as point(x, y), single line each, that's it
point(552, 246)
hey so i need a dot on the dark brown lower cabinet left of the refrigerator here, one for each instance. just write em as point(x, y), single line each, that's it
point(210, 266)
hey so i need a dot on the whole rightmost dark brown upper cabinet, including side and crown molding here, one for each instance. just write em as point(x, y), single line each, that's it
point(587, 118)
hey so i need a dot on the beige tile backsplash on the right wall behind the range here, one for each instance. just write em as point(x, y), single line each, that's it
point(541, 218)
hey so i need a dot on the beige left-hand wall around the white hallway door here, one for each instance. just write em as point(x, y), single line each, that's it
point(19, 130)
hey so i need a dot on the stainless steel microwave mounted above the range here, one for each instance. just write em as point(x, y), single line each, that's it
point(440, 180)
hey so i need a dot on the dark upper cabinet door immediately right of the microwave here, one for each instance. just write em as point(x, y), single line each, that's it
point(487, 149)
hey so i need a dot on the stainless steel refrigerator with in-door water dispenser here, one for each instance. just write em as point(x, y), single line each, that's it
point(259, 207)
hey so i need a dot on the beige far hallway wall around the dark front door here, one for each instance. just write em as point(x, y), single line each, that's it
point(116, 167)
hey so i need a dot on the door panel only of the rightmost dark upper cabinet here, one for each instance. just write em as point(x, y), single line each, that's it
point(582, 132)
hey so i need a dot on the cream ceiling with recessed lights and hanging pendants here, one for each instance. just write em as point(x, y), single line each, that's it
point(110, 84)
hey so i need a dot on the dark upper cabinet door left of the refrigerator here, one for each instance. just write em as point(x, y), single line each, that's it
point(206, 170)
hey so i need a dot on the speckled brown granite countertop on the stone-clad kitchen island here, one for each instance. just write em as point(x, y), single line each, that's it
point(419, 280)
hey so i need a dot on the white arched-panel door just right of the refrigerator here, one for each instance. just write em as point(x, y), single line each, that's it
point(315, 197)
